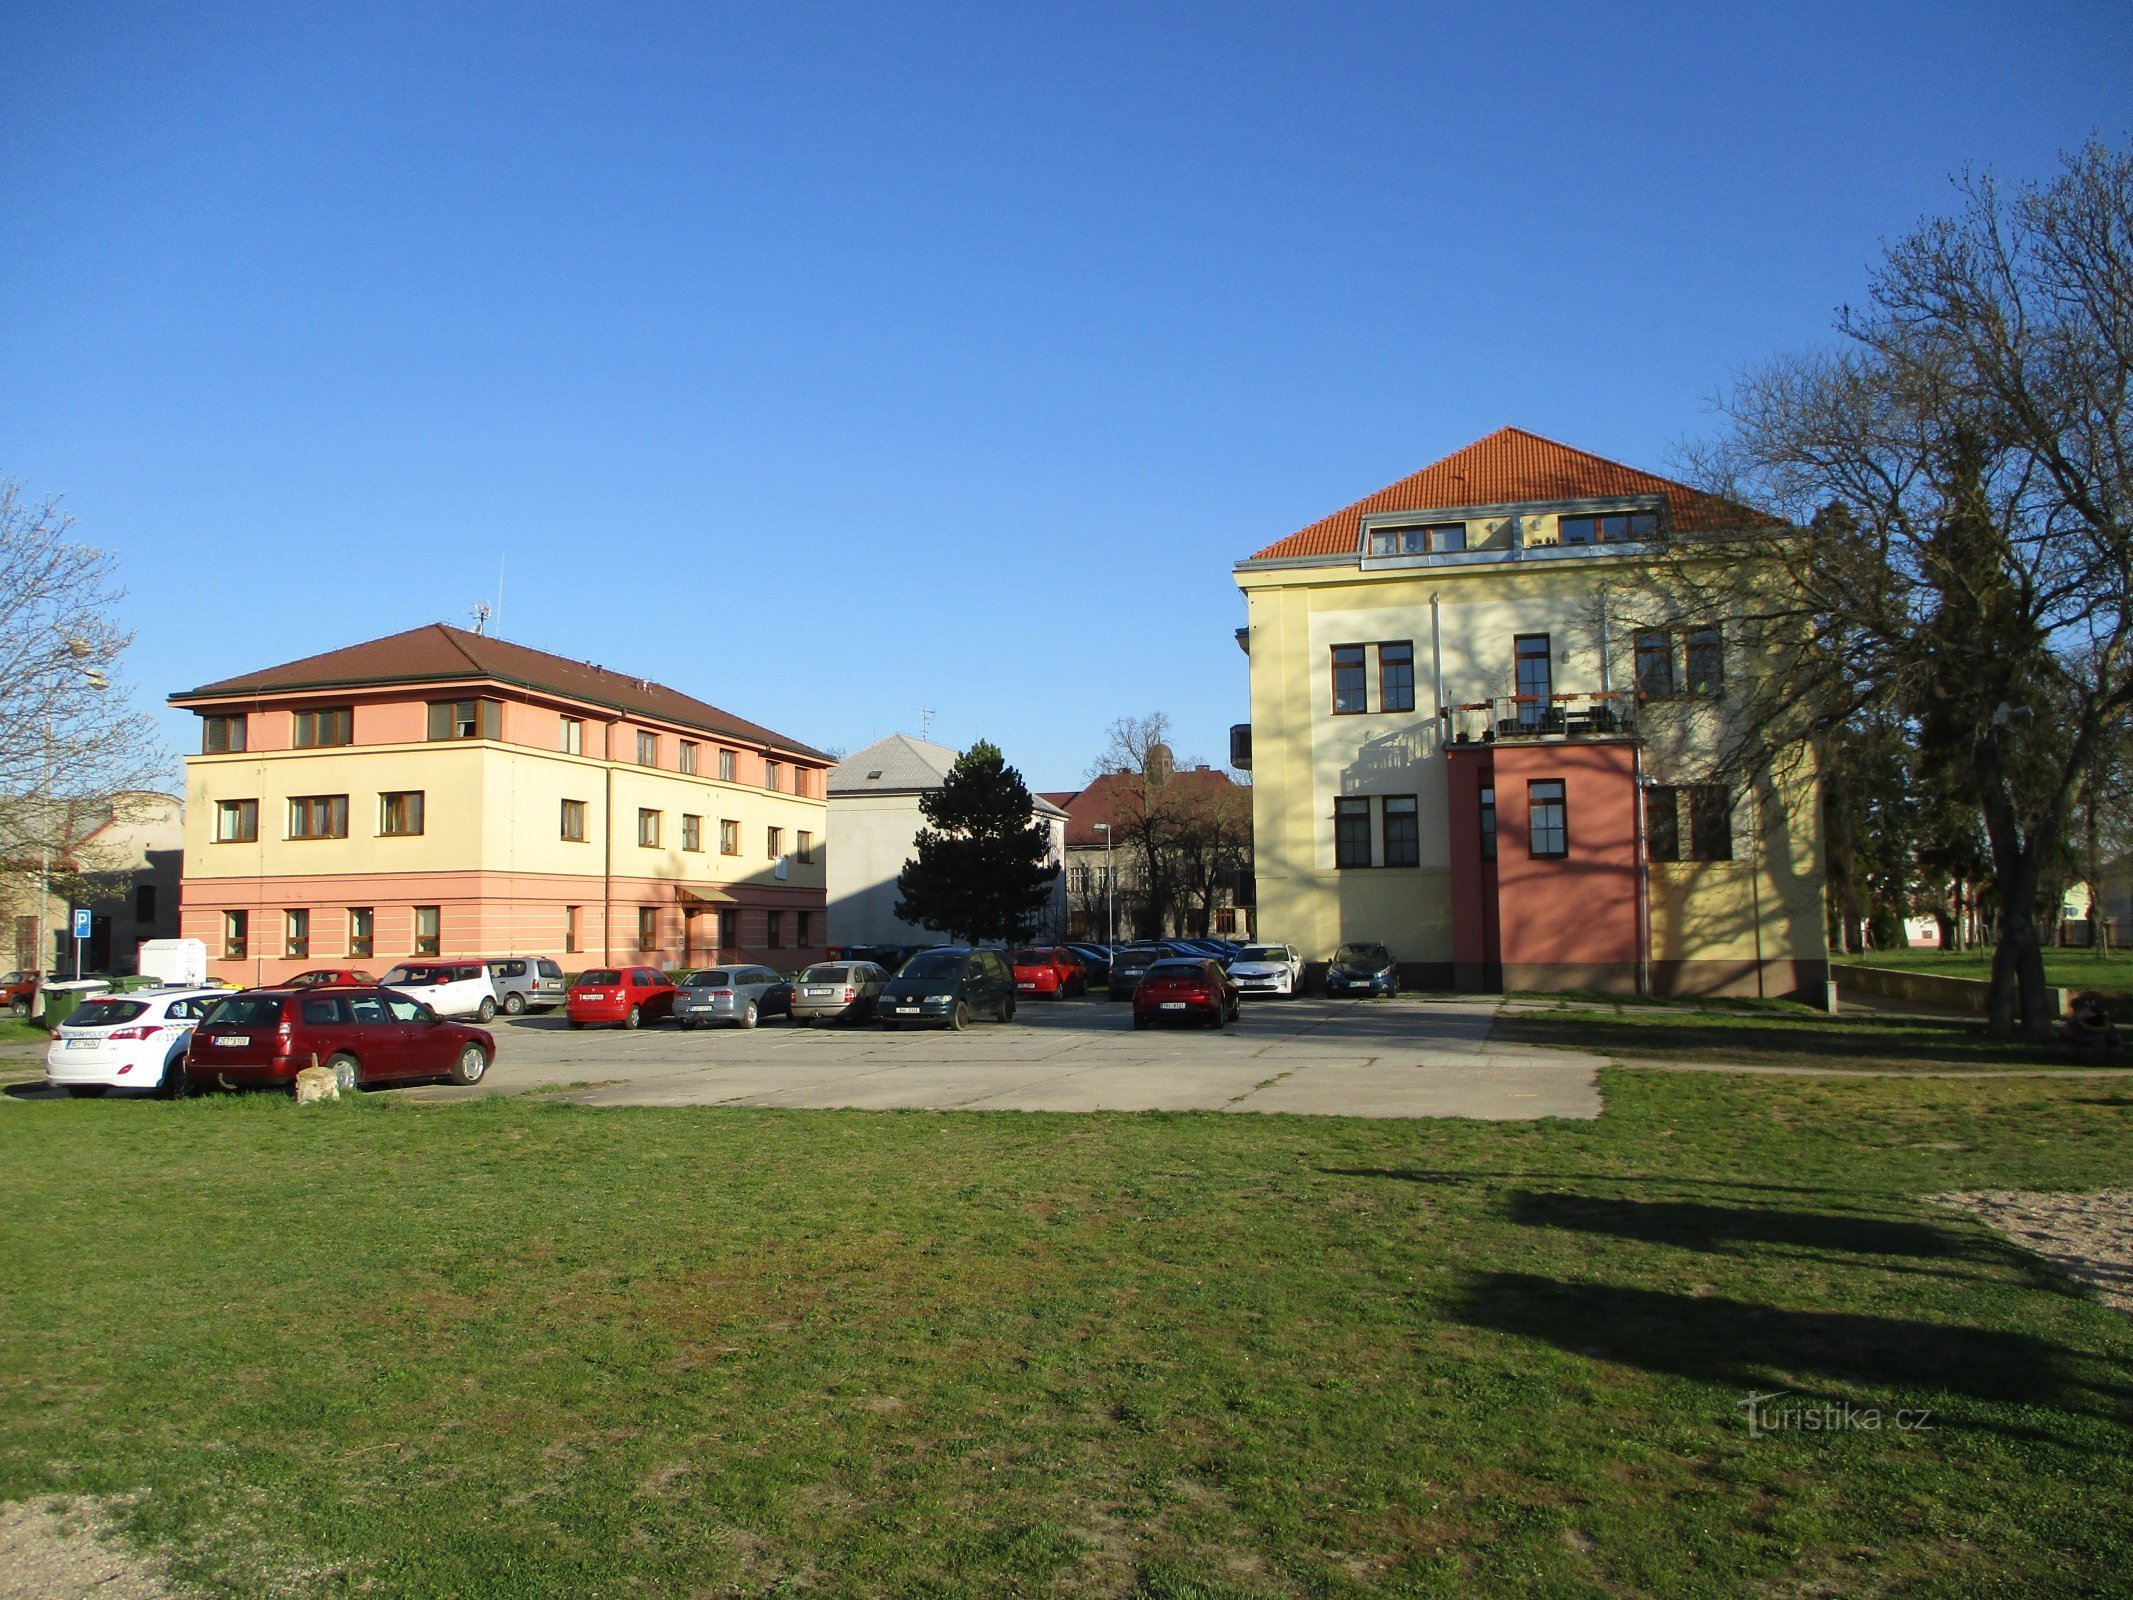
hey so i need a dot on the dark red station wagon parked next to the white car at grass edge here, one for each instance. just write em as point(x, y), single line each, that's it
point(370, 1036)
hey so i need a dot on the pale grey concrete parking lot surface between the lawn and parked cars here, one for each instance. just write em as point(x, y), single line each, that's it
point(1383, 1059)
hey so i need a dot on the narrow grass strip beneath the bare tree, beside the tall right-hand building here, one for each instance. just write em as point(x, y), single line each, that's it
point(1771, 1034)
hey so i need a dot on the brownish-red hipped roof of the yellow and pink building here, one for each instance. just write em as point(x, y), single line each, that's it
point(438, 654)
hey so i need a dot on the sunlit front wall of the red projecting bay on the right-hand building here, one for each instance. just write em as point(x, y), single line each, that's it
point(1579, 908)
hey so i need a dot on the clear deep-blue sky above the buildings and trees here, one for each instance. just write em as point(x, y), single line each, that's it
point(837, 362)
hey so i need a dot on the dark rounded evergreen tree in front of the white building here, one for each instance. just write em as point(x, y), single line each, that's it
point(982, 867)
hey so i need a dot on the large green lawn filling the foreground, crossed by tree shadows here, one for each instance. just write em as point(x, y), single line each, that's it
point(519, 1349)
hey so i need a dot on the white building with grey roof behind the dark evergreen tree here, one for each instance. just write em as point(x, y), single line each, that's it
point(873, 825)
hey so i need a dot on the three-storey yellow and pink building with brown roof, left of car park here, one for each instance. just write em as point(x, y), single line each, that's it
point(449, 795)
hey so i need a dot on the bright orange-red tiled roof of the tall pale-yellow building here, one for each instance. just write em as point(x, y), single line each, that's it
point(1509, 468)
